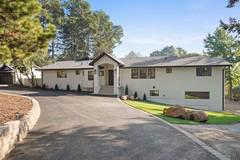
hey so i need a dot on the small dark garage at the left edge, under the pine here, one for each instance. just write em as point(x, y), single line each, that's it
point(6, 74)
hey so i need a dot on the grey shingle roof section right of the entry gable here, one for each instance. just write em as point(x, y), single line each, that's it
point(174, 61)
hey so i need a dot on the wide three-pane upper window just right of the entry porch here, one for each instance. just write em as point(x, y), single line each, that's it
point(143, 73)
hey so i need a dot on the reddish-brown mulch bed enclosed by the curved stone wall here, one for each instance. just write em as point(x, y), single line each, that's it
point(10, 105)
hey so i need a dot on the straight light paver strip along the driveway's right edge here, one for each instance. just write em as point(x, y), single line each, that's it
point(189, 135)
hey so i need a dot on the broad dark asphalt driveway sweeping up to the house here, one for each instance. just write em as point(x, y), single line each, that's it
point(86, 127)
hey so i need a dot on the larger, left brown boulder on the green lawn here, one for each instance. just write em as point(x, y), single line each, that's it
point(176, 111)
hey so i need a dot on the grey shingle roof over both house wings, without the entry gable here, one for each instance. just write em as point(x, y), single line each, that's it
point(159, 61)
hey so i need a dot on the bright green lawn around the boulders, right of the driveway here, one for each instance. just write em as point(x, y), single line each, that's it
point(157, 110)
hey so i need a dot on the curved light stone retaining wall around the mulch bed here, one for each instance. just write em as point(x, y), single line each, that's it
point(15, 131)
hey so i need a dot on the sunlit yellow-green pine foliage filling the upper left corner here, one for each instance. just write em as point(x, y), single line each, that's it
point(21, 34)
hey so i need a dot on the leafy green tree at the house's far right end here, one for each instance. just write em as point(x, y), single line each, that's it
point(220, 43)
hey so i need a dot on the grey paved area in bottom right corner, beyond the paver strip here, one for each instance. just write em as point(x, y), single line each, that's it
point(223, 138)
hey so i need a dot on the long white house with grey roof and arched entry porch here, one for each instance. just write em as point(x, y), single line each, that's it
point(196, 81)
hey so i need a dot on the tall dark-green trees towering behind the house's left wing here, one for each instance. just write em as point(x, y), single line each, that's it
point(86, 33)
